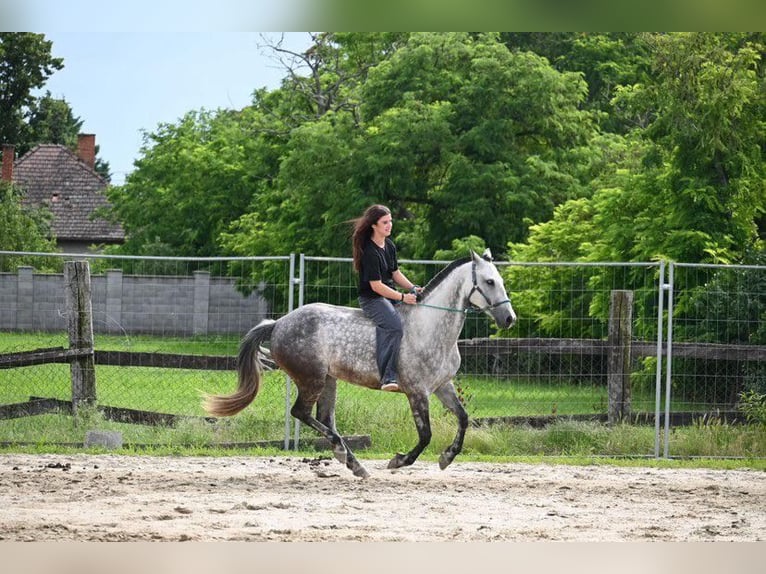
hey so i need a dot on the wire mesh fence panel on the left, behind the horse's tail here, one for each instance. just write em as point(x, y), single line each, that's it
point(165, 331)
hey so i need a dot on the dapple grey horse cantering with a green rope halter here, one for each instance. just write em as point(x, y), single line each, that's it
point(317, 344)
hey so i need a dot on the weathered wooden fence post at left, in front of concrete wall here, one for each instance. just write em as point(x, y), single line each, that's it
point(80, 320)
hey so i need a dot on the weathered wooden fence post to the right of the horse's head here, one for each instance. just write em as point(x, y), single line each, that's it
point(618, 358)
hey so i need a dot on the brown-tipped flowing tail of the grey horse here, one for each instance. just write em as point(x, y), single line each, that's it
point(249, 369)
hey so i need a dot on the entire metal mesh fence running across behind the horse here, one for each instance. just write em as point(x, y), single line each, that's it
point(168, 328)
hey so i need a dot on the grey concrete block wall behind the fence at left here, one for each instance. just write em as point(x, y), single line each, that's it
point(166, 305)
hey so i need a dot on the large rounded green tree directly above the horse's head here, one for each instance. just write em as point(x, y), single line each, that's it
point(482, 137)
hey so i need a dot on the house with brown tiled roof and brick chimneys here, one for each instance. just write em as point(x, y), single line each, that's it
point(54, 176)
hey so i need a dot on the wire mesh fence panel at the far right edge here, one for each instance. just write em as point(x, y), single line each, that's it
point(716, 354)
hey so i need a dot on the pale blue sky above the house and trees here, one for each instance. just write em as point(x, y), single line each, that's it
point(122, 84)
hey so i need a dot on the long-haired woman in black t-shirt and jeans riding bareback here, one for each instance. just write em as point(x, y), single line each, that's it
point(375, 261)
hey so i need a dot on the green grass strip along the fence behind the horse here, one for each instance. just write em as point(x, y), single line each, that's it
point(385, 417)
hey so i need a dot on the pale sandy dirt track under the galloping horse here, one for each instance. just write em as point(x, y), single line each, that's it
point(132, 498)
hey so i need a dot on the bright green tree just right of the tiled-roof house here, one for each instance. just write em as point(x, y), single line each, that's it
point(193, 178)
